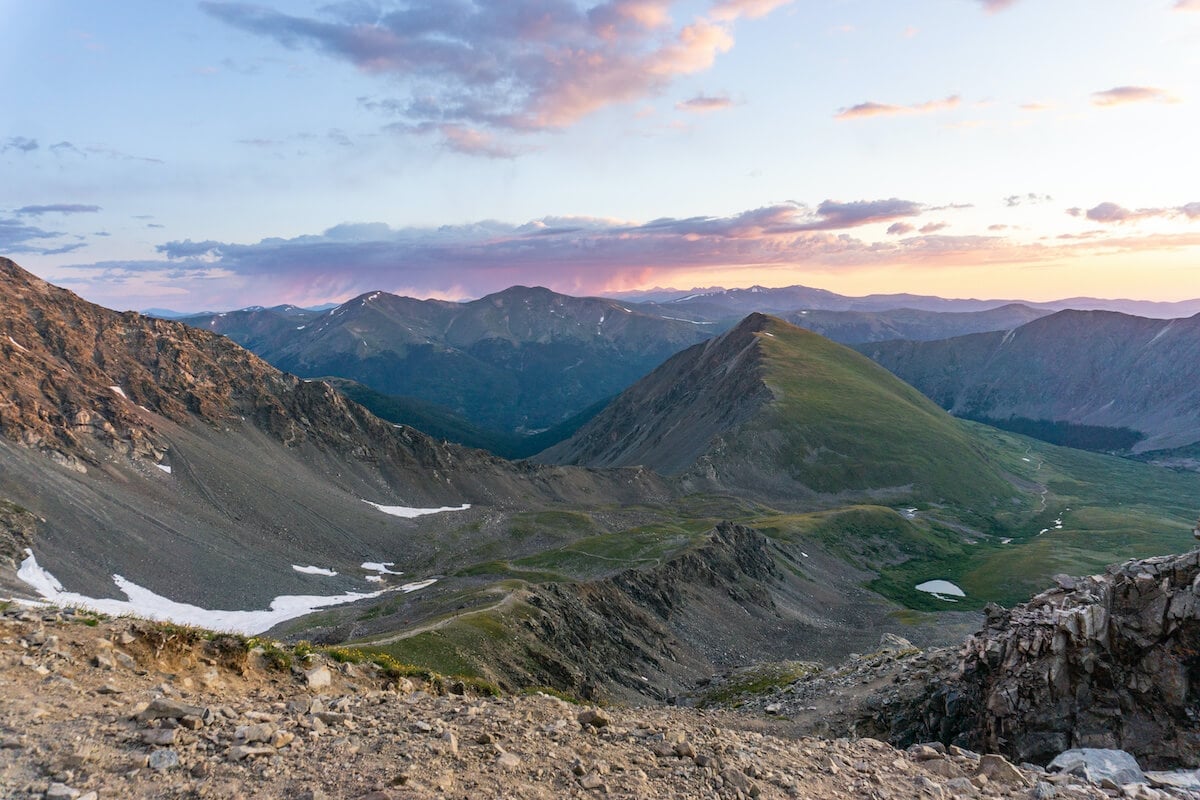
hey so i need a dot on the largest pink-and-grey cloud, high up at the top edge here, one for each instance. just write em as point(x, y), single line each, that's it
point(506, 67)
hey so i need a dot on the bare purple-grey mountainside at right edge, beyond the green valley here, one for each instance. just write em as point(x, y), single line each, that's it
point(1095, 380)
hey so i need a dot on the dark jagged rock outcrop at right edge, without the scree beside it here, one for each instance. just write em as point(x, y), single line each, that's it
point(1106, 661)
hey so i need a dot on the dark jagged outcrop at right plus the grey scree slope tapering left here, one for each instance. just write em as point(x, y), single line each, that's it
point(1106, 661)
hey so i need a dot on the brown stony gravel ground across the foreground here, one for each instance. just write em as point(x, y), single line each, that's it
point(94, 709)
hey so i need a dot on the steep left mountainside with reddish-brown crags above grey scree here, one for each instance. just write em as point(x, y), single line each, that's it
point(147, 454)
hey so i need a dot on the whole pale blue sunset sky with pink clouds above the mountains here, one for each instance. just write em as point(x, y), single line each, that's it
point(217, 155)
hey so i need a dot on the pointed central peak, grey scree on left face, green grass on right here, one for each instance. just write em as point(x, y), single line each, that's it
point(772, 412)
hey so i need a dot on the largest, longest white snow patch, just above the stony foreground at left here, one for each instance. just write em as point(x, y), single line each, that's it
point(148, 605)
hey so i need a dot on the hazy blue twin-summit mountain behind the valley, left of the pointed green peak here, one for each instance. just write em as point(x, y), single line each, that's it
point(524, 359)
